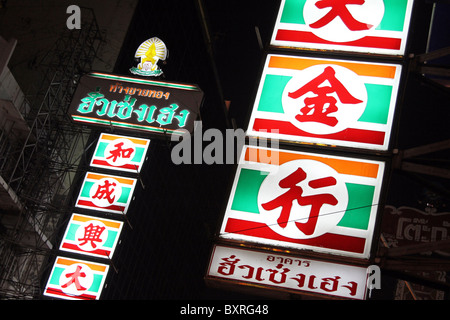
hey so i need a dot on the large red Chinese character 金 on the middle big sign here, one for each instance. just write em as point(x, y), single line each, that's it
point(319, 107)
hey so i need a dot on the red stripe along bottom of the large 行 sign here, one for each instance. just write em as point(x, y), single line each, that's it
point(328, 240)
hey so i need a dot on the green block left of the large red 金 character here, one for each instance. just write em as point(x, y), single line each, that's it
point(272, 93)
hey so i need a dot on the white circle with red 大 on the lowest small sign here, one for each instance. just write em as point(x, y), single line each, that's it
point(76, 279)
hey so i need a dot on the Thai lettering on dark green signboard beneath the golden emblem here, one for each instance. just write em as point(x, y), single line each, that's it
point(95, 102)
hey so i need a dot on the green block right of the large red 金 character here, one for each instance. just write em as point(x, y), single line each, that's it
point(378, 103)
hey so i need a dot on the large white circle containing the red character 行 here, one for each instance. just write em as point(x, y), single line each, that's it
point(303, 199)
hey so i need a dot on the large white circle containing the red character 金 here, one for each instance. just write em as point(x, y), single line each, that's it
point(324, 99)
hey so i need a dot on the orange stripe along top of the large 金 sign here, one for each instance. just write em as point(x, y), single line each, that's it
point(362, 69)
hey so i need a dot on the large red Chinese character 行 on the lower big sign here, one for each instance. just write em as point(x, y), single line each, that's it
point(295, 192)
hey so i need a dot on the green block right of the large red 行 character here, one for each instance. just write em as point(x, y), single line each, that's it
point(359, 206)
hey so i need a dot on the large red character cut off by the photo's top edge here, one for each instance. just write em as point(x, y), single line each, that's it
point(339, 9)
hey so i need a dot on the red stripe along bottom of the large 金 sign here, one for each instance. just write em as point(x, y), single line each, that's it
point(350, 134)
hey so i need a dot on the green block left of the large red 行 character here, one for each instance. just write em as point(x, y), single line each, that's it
point(246, 194)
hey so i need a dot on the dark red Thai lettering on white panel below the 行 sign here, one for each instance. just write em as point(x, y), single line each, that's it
point(286, 273)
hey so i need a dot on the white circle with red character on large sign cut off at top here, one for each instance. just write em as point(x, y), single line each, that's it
point(343, 20)
